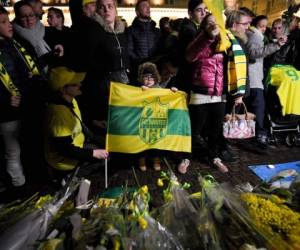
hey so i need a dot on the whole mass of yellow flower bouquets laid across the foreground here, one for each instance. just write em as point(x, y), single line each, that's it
point(221, 217)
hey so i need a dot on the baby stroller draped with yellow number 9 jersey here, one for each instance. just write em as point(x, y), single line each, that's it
point(283, 128)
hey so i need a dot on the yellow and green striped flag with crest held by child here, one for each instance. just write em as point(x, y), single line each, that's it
point(139, 120)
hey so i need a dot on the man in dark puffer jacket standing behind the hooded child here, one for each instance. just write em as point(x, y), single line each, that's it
point(143, 37)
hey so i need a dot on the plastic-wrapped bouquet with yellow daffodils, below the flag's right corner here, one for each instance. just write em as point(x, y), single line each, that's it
point(179, 212)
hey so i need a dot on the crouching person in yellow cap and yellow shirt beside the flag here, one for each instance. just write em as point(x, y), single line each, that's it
point(65, 134)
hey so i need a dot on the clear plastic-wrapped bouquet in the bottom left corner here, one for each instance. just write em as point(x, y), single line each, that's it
point(34, 226)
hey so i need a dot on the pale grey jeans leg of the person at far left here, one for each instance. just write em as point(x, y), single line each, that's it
point(10, 133)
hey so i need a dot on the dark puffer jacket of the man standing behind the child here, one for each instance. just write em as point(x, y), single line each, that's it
point(143, 40)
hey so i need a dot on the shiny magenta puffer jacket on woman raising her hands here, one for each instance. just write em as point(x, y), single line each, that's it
point(208, 65)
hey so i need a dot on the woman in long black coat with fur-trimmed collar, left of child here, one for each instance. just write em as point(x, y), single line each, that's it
point(107, 60)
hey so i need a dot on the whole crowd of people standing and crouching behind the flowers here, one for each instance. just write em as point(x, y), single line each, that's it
point(54, 91)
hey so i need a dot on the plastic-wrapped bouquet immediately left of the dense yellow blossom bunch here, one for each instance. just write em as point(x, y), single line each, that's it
point(224, 221)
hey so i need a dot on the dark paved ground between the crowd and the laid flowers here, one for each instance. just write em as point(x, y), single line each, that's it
point(121, 173)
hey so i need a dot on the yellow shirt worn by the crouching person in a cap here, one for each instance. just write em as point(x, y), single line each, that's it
point(62, 122)
